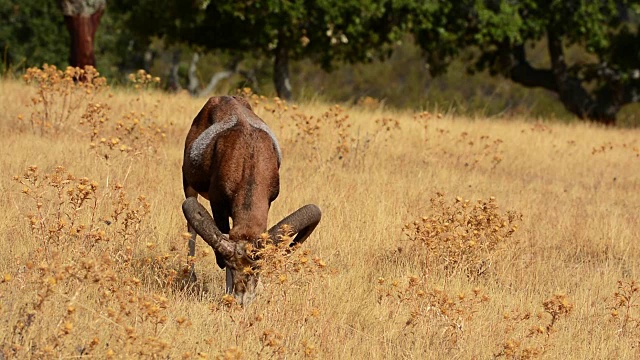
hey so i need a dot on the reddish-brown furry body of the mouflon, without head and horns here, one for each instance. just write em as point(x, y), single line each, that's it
point(238, 173)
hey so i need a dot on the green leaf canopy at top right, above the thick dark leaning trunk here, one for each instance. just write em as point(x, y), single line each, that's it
point(447, 28)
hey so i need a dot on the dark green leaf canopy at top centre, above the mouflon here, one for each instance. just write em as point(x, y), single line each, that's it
point(324, 31)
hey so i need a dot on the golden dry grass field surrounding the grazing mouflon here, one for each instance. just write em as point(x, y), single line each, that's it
point(539, 262)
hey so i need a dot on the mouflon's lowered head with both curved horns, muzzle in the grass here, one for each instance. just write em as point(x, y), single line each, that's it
point(240, 254)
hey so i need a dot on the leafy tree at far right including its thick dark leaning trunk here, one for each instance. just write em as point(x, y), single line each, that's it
point(500, 29)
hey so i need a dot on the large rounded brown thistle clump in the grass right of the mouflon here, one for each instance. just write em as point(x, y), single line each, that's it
point(462, 236)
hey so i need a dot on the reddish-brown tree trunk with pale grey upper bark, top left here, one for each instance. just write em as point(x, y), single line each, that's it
point(82, 18)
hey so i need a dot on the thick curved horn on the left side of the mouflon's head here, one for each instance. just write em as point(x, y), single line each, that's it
point(203, 223)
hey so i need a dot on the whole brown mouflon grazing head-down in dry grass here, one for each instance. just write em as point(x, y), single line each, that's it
point(232, 159)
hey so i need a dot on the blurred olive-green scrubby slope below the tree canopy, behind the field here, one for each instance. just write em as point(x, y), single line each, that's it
point(402, 81)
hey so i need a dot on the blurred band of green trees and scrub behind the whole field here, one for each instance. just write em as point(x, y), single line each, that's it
point(564, 59)
